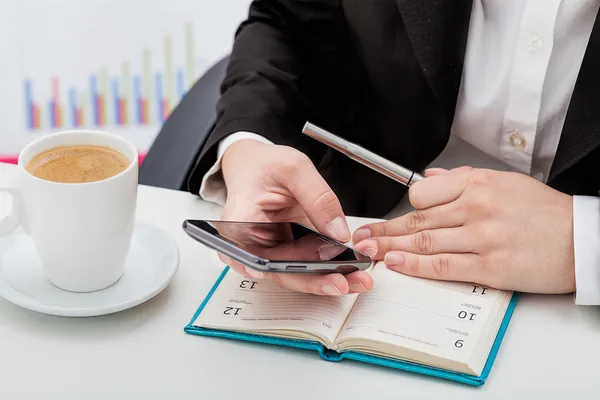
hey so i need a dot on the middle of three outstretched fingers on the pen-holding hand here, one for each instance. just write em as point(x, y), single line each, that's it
point(435, 241)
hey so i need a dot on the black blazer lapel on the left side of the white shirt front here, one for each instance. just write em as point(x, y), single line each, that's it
point(438, 32)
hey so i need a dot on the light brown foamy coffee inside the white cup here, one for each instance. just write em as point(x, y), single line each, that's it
point(77, 164)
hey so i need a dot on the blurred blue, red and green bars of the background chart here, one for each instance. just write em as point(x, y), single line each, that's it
point(116, 98)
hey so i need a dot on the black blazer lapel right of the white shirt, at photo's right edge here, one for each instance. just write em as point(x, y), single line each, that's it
point(581, 132)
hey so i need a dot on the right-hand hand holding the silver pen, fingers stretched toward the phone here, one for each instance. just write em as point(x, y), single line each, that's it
point(498, 229)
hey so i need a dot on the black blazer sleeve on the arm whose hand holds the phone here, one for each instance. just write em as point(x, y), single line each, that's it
point(287, 66)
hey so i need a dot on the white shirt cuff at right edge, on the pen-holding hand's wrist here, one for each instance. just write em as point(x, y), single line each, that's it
point(586, 232)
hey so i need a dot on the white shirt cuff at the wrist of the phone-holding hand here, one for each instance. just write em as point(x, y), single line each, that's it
point(213, 187)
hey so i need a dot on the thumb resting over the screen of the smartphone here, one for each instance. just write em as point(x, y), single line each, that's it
point(318, 200)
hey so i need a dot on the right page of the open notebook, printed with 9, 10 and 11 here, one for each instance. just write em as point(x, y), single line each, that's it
point(439, 318)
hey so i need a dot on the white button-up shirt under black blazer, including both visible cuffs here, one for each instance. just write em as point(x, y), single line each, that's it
point(521, 63)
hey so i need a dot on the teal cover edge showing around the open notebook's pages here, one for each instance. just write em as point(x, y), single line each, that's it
point(330, 355)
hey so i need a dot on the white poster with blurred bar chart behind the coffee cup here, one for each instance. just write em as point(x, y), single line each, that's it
point(118, 66)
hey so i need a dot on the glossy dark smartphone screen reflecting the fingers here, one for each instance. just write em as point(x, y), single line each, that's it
point(282, 242)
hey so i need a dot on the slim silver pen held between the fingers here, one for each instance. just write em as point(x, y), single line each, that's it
point(362, 155)
